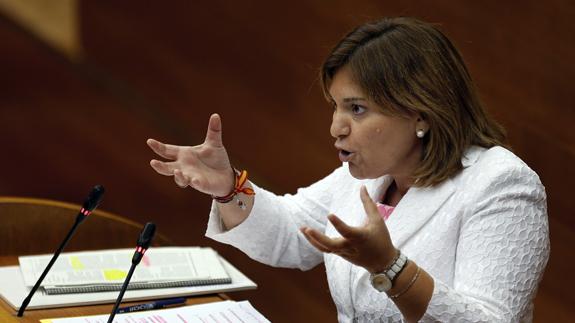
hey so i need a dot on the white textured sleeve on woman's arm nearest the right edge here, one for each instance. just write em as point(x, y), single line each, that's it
point(502, 251)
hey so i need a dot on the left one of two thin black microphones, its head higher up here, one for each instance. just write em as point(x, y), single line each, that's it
point(92, 201)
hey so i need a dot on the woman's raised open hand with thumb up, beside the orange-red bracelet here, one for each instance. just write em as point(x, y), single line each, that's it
point(205, 167)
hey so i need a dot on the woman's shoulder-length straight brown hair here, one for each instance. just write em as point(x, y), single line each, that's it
point(408, 66)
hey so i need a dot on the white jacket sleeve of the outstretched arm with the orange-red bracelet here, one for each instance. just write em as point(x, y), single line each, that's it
point(270, 234)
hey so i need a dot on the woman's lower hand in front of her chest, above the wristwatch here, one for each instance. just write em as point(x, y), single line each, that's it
point(368, 246)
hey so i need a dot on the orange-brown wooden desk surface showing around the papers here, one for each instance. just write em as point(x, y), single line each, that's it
point(7, 314)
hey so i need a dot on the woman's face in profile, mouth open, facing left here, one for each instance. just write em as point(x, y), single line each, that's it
point(372, 143)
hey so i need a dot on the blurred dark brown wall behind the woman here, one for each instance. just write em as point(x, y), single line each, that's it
point(83, 84)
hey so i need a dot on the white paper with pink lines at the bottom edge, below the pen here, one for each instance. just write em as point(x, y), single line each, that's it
point(227, 311)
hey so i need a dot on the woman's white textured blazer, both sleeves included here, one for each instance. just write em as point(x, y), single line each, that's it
point(482, 235)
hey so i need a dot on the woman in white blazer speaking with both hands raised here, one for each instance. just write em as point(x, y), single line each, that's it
point(428, 218)
